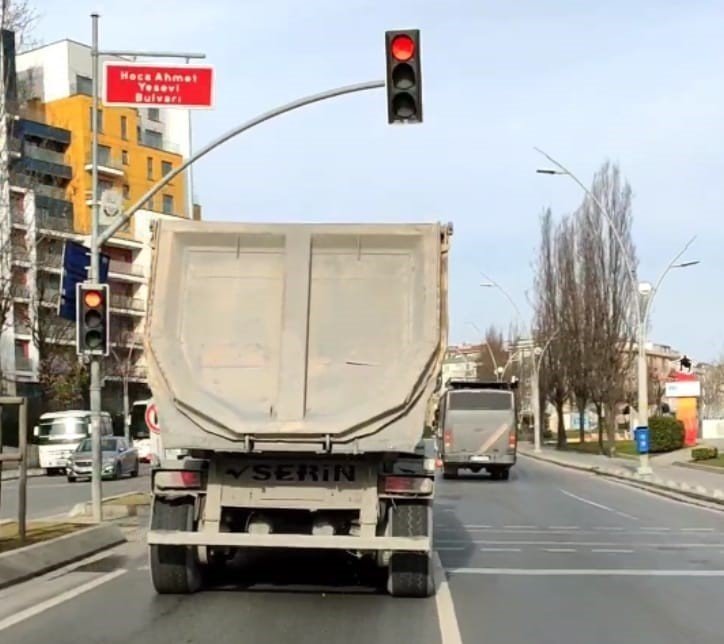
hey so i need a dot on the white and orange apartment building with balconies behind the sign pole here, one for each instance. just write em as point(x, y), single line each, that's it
point(48, 190)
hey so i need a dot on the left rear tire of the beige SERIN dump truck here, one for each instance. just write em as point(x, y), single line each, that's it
point(174, 569)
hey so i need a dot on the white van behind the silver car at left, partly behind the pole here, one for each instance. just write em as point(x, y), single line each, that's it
point(59, 433)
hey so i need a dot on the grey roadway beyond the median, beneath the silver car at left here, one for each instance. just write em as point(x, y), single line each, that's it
point(50, 495)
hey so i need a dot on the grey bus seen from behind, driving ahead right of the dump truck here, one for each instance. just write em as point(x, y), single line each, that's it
point(479, 427)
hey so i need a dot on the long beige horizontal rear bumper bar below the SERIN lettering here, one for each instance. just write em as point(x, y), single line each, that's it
point(246, 540)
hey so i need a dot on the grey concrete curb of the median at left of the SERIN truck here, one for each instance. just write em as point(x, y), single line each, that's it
point(25, 563)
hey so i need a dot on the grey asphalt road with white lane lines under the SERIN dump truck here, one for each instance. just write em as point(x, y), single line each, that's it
point(551, 556)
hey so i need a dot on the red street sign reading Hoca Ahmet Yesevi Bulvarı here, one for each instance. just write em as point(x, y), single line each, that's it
point(141, 84)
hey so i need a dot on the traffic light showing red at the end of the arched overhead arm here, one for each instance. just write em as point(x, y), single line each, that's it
point(404, 76)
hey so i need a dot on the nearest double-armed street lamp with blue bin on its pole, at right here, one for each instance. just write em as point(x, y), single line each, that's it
point(646, 293)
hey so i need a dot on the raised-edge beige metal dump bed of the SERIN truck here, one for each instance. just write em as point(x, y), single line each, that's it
point(295, 336)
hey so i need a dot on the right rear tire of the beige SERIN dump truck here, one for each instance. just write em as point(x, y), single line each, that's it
point(410, 573)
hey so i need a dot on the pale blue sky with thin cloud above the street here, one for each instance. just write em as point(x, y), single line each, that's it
point(638, 83)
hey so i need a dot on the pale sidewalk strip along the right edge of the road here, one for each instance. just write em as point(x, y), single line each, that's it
point(708, 486)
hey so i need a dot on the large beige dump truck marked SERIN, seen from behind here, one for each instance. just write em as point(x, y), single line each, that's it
point(294, 364)
